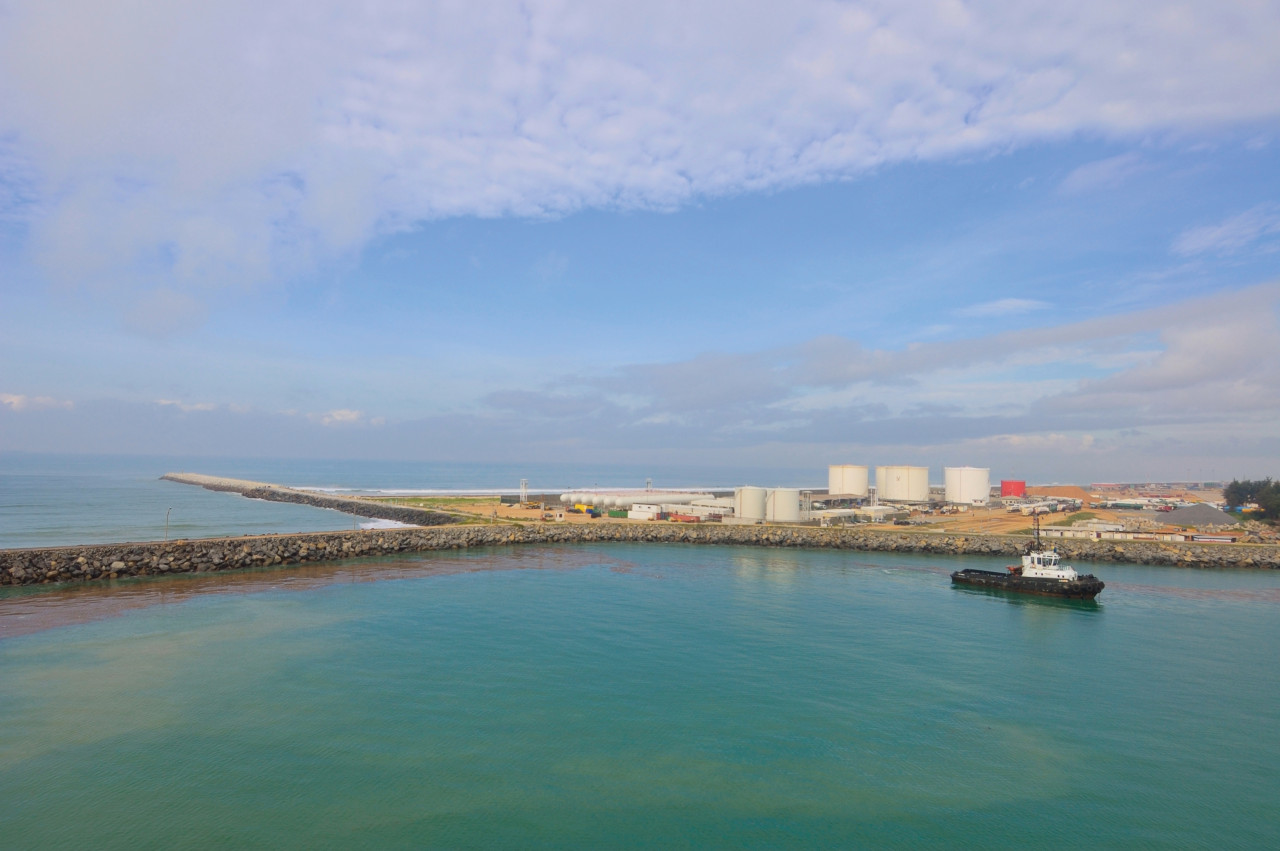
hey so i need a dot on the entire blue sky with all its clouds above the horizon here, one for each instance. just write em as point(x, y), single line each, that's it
point(1037, 237)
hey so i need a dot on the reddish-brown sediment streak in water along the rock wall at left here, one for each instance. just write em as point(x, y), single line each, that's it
point(45, 608)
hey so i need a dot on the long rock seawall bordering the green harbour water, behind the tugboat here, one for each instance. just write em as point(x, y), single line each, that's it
point(115, 561)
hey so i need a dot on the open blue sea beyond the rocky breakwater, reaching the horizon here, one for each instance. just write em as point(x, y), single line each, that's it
point(51, 501)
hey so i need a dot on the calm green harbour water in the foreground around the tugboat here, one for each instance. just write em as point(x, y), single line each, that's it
point(651, 697)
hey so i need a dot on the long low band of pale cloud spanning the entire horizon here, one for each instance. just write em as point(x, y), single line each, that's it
point(1144, 395)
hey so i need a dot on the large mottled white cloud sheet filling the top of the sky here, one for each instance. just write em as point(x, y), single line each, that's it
point(196, 147)
